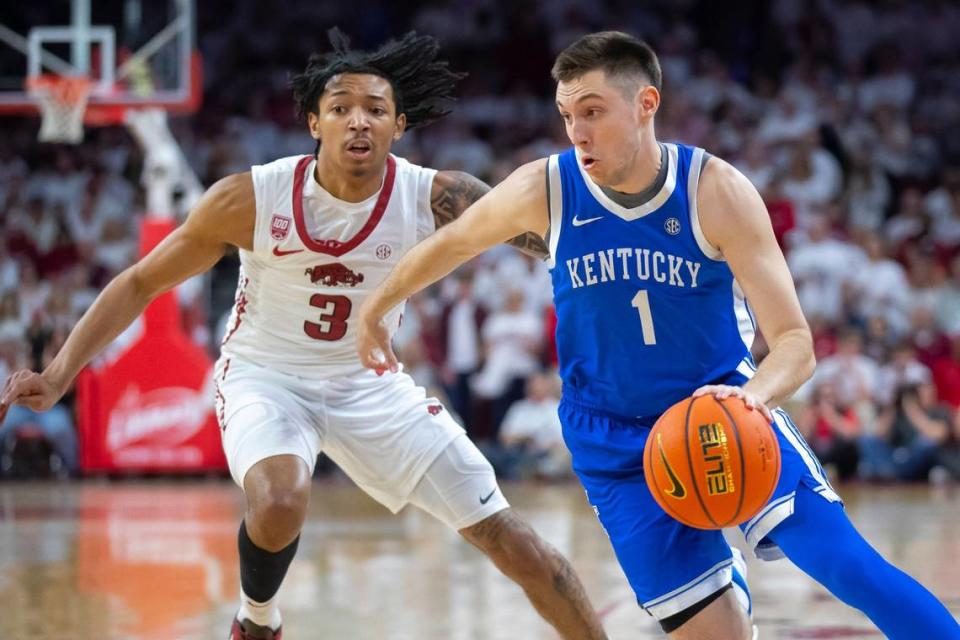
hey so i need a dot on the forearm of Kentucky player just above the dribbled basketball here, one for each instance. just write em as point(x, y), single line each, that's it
point(789, 364)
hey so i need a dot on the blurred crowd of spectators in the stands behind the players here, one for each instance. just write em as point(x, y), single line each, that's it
point(843, 114)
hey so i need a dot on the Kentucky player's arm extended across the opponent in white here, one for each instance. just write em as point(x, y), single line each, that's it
point(513, 208)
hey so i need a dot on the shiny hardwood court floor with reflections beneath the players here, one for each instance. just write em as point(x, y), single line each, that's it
point(154, 560)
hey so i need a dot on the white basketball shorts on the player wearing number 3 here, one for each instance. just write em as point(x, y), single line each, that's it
point(382, 431)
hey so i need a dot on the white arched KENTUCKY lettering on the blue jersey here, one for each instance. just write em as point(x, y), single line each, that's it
point(626, 263)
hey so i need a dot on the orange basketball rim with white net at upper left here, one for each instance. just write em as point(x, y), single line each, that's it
point(62, 101)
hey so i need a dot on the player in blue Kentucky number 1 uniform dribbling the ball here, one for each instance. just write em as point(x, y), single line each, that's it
point(654, 251)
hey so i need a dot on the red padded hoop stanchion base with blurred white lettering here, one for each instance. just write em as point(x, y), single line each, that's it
point(152, 408)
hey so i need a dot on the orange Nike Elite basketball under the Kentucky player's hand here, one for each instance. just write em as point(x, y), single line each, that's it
point(711, 463)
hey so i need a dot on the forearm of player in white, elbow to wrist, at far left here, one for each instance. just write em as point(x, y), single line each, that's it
point(113, 311)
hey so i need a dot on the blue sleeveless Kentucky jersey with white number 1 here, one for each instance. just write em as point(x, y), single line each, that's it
point(647, 310)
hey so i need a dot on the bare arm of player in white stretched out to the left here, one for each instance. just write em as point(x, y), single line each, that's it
point(224, 216)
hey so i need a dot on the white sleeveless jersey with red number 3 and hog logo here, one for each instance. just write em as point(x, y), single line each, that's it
point(314, 260)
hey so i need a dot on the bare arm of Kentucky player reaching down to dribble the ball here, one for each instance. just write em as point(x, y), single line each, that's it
point(735, 221)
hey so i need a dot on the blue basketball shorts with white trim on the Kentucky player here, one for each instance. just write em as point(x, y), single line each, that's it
point(669, 565)
